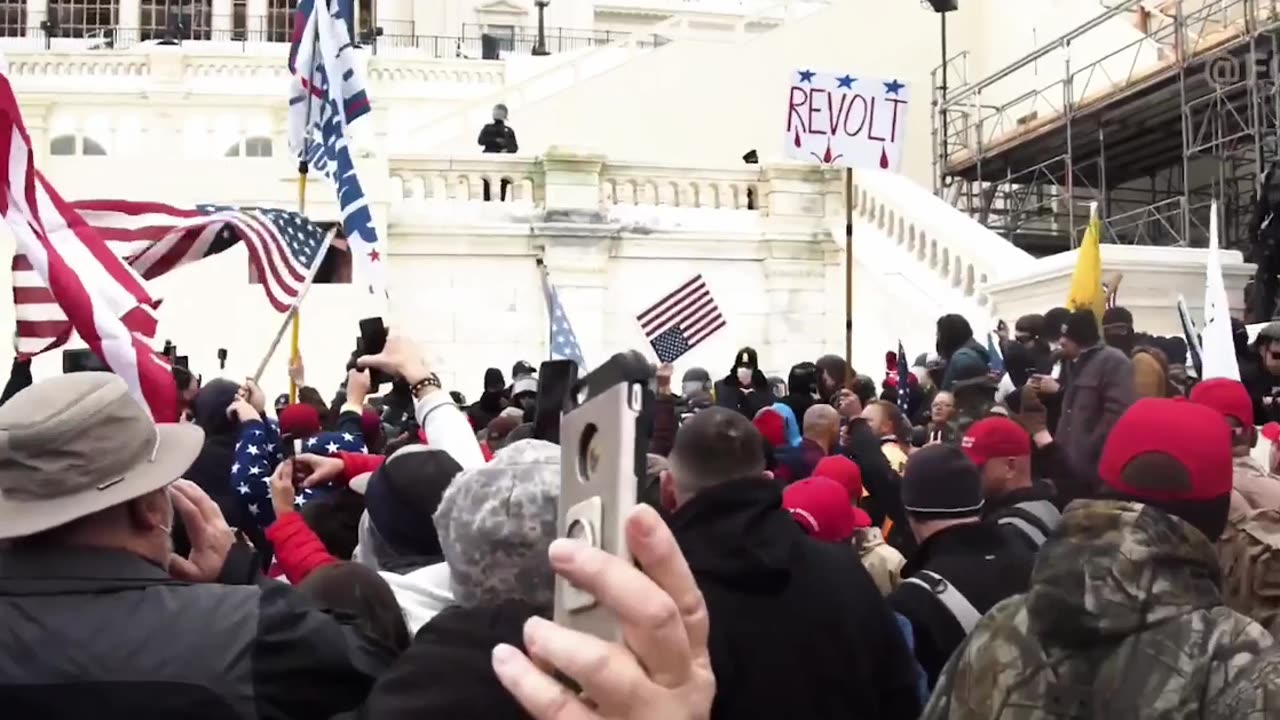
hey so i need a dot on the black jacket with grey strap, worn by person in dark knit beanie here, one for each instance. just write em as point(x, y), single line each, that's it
point(981, 563)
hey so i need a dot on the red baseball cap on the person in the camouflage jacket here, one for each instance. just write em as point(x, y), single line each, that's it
point(1192, 435)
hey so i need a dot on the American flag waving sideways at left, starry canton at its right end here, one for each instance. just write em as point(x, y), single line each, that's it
point(154, 239)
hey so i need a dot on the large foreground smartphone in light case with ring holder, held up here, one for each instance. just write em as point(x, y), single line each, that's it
point(604, 446)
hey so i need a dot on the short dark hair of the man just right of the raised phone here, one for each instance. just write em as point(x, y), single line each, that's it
point(716, 446)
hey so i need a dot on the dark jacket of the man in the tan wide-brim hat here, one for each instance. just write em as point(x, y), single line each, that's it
point(108, 635)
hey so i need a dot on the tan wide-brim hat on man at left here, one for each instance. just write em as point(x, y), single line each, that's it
point(75, 445)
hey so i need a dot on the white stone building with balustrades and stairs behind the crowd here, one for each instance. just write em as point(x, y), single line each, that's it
point(629, 179)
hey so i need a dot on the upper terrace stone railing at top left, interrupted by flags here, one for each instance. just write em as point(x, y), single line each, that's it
point(196, 70)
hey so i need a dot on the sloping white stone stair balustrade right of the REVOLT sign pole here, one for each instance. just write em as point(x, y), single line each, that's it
point(962, 253)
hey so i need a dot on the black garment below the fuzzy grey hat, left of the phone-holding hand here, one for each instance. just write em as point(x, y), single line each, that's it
point(449, 673)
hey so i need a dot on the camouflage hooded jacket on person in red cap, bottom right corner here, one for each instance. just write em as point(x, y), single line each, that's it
point(1123, 622)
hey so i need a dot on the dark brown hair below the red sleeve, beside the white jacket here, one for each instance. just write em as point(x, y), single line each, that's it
point(360, 593)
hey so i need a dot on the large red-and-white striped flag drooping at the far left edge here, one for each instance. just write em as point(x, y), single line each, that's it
point(98, 294)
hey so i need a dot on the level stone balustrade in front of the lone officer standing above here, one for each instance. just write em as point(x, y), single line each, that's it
point(600, 183)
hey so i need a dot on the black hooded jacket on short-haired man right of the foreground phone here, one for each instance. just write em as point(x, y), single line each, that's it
point(798, 627)
